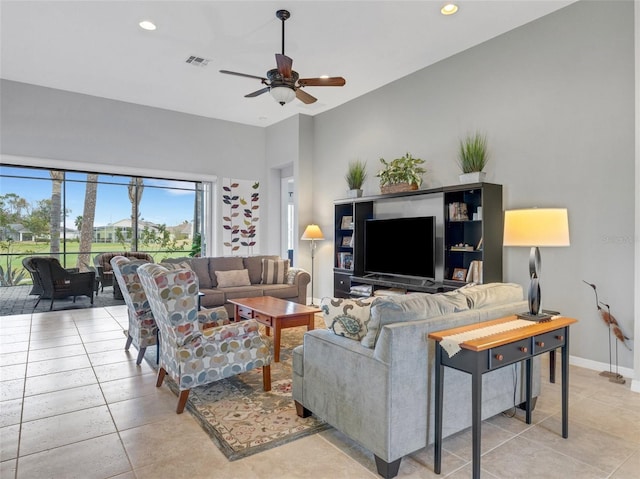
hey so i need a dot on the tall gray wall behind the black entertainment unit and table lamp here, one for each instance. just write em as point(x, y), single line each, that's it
point(555, 98)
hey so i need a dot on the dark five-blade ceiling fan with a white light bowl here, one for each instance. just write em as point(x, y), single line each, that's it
point(284, 83)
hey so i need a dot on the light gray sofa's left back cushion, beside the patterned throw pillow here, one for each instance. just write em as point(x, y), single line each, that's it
point(410, 307)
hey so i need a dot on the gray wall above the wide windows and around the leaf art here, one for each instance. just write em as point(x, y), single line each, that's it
point(82, 131)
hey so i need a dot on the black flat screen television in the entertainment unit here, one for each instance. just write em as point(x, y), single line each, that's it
point(402, 247)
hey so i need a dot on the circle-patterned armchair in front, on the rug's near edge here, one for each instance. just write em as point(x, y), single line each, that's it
point(193, 356)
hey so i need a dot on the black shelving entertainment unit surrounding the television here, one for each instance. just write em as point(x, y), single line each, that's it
point(471, 247)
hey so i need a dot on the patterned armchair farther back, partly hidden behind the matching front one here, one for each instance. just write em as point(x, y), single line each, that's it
point(143, 331)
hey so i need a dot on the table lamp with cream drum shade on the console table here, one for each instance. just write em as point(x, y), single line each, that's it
point(534, 228)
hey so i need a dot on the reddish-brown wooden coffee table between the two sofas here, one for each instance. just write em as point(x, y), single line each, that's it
point(275, 313)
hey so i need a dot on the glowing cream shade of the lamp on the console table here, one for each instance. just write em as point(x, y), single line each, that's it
point(536, 227)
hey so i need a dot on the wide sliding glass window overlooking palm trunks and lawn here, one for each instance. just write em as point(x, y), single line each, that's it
point(97, 213)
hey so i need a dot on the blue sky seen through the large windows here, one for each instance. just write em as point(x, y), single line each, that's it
point(163, 201)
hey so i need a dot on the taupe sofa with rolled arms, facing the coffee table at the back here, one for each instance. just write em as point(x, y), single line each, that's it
point(293, 287)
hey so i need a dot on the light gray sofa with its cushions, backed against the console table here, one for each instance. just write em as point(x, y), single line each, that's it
point(377, 385)
